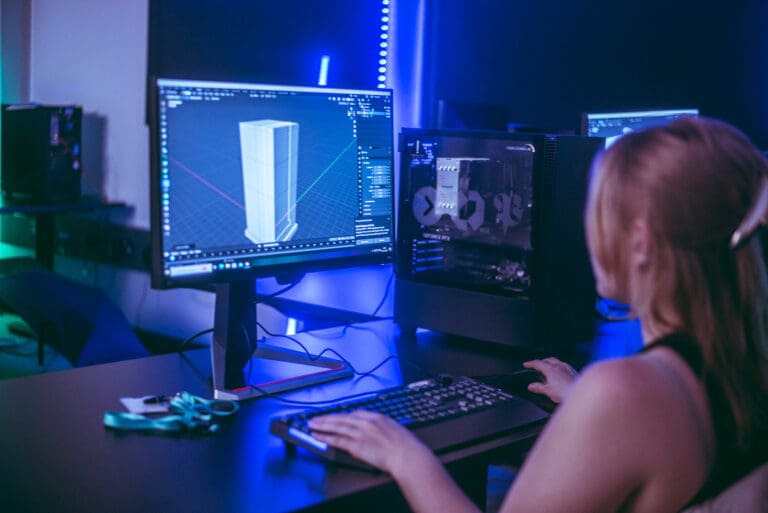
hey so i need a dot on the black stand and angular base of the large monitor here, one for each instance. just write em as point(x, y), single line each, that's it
point(242, 367)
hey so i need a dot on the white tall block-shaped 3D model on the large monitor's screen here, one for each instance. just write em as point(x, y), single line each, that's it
point(269, 151)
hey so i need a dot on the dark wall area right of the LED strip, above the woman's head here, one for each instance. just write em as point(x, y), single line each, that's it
point(547, 62)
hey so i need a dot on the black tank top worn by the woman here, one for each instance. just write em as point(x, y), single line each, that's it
point(731, 462)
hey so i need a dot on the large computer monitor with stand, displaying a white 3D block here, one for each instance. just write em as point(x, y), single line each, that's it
point(252, 180)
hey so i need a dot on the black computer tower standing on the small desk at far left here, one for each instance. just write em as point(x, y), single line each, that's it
point(41, 147)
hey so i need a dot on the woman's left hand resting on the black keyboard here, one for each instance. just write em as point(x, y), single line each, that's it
point(370, 437)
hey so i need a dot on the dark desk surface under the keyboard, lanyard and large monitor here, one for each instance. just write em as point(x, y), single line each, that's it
point(56, 455)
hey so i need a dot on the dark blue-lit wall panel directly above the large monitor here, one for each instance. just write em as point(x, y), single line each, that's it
point(266, 40)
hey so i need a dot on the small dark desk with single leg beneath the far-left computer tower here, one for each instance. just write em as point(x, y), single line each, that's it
point(44, 214)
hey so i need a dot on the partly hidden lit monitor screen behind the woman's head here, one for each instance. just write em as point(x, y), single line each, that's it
point(613, 125)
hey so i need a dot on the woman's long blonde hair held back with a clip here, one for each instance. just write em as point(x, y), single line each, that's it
point(692, 181)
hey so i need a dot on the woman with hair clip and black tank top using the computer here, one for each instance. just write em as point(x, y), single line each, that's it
point(688, 415)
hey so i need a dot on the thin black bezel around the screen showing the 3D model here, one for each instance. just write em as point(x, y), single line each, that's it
point(287, 268)
